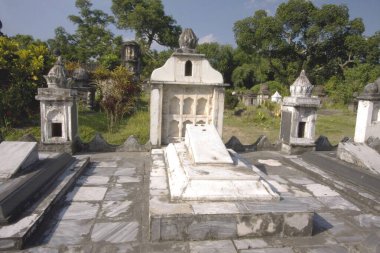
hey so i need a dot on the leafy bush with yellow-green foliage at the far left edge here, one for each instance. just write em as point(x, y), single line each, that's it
point(23, 62)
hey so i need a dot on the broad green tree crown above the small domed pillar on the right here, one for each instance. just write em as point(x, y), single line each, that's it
point(323, 41)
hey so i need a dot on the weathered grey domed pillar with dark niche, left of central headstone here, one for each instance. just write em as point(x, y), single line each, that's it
point(58, 107)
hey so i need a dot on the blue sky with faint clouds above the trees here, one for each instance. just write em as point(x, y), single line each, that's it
point(211, 20)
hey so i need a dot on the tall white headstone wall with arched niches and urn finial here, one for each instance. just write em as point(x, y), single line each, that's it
point(186, 90)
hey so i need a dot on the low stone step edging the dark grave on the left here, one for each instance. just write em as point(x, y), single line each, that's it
point(13, 236)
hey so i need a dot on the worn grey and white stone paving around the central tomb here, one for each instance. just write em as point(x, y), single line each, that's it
point(107, 211)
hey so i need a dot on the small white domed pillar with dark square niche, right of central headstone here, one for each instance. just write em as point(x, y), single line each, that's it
point(298, 116)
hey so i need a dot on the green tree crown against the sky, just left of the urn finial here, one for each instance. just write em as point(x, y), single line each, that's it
point(149, 21)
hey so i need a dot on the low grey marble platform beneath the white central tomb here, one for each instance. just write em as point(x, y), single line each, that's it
point(205, 220)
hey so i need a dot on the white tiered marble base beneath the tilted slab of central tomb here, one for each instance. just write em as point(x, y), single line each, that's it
point(223, 182)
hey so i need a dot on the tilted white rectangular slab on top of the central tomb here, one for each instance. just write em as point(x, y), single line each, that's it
point(205, 145)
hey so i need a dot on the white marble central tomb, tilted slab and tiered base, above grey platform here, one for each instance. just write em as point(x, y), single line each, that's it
point(201, 168)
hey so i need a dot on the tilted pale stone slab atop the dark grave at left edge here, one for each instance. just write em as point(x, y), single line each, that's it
point(15, 156)
